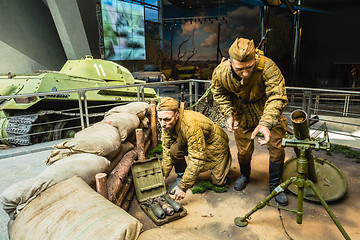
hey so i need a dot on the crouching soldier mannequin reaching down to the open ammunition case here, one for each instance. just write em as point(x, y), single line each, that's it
point(189, 133)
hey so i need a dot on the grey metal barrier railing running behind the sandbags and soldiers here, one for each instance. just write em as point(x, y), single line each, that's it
point(313, 100)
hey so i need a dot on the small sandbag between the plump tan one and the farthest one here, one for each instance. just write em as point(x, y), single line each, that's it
point(126, 123)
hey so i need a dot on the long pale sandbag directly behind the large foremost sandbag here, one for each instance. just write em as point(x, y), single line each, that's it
point(84, 165)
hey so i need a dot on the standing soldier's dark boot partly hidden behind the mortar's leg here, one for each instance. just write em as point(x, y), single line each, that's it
point(275, 174)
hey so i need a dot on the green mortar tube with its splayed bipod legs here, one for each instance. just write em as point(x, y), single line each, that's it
point(302, 142)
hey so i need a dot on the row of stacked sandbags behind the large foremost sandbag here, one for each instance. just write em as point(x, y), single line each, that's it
point(87, 154)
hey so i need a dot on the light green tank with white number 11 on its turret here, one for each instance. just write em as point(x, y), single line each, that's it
point(29, 120)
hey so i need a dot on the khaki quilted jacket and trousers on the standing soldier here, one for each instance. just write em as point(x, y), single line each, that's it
point(259, 101)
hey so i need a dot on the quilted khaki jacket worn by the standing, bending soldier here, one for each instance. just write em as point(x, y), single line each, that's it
point(259, 101)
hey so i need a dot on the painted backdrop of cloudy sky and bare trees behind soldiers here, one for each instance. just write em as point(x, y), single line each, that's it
point(191, 35)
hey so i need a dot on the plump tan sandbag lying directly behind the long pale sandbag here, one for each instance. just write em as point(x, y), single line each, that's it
point(100, 139)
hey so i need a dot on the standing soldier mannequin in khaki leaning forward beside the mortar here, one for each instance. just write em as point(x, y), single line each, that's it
point(250, 91)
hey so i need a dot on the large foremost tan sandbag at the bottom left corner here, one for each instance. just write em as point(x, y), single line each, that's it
point(72, 210)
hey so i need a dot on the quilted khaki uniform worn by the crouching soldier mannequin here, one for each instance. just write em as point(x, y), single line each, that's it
point(205, 144)
